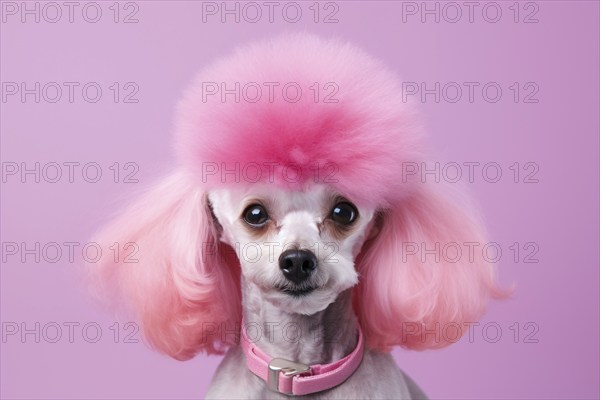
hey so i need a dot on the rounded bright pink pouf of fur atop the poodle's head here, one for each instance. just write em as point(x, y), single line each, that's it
point(367, 134)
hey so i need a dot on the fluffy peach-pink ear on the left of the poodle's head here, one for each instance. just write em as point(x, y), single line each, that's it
point(172, 270)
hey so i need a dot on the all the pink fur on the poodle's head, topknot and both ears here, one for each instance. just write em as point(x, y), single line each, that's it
point(184, 280)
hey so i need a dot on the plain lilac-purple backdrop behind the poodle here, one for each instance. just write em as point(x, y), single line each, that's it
point(161, 52)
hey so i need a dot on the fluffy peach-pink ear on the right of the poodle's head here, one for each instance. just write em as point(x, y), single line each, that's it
point(414, 300)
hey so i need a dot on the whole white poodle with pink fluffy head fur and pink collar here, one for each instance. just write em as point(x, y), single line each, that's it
point(288, 235)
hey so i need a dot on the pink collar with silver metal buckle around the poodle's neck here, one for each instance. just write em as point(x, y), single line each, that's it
point(289, 377)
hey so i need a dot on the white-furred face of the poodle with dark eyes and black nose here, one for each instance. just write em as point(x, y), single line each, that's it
point(297, 247)
